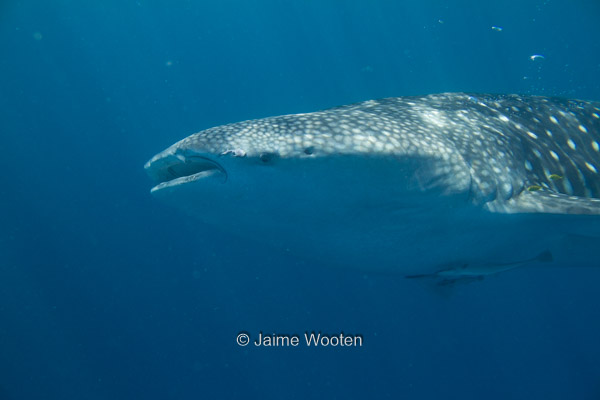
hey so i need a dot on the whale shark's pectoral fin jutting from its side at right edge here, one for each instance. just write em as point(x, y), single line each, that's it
point(541, 200)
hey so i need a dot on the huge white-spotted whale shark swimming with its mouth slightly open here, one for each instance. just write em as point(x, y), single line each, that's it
point(446, 186)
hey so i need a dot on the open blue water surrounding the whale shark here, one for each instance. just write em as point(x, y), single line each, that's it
point(106, 293)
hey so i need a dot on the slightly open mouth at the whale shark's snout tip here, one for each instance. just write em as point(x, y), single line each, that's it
point(176, 169)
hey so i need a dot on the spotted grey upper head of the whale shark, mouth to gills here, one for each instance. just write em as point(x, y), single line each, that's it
point(343, 135)
